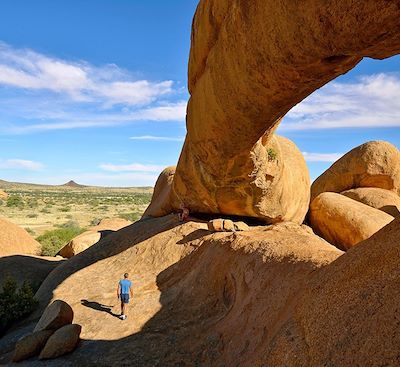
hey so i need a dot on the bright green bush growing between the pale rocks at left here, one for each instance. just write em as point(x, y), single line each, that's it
point(54, 240)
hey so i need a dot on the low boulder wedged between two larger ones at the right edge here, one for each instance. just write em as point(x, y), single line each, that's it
point(385, 200)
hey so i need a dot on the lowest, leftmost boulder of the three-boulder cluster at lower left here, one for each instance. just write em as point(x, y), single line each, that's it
point(31, 345)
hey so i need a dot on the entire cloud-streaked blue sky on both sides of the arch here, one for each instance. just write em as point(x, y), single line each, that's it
point(95, 91)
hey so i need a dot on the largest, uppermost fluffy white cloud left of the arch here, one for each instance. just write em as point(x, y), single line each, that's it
point(81, 81)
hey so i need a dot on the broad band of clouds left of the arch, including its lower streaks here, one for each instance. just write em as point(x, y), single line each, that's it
point(42, 93)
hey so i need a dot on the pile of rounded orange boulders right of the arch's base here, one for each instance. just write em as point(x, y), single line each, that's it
point(358, 195)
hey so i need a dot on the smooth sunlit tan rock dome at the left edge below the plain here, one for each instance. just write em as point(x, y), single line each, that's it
point(14, 240)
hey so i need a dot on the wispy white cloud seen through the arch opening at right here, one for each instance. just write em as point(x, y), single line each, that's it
point(371, 101)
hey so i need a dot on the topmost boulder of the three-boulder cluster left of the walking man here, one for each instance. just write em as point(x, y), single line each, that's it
point(56, 315)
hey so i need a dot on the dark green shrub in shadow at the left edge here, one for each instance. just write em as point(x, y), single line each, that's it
point(15, 304)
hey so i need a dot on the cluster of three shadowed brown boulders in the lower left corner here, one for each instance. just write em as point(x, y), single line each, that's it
point(53, 336)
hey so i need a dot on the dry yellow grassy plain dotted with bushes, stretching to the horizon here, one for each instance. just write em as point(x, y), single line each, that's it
point(40, 208)
